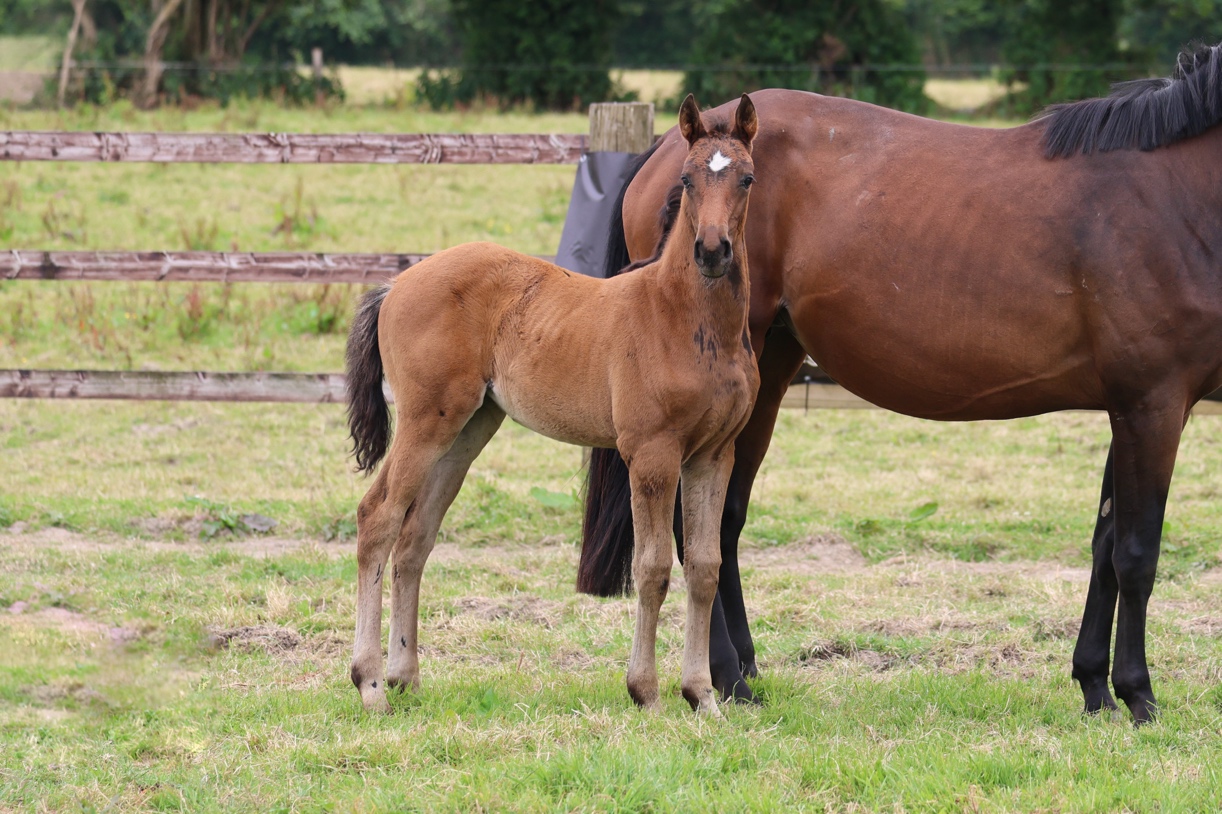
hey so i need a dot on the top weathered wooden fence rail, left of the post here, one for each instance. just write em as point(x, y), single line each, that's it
point(294, 148)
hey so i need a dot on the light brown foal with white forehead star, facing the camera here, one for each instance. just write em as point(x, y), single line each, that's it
point(657, 365)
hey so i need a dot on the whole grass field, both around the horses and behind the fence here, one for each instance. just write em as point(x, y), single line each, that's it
point(915, 587)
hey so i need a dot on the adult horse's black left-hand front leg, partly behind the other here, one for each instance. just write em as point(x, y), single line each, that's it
point(1093, 652)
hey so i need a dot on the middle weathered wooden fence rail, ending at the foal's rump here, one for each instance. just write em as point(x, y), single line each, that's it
point(205, 267)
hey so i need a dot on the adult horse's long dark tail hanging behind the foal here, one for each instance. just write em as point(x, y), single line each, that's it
point(606, 566)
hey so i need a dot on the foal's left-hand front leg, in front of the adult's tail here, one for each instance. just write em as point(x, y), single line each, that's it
point(654, 474)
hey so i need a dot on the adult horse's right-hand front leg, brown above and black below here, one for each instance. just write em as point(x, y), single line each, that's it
point(1146, 443)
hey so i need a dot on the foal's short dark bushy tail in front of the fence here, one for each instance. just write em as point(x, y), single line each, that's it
point(368, 415)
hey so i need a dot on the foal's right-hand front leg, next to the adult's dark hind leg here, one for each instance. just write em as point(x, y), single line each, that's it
point(704, 492)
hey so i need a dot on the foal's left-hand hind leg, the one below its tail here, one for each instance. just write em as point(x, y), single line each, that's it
point(422, 438)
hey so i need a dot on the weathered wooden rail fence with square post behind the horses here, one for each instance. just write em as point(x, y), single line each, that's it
point(624, 128)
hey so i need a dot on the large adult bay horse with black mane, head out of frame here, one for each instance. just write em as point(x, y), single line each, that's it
point(960, 273)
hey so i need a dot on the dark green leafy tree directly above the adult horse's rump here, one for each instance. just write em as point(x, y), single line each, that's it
point(828, 48)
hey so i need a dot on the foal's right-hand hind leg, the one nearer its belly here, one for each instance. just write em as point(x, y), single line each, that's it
point(417, 540)
